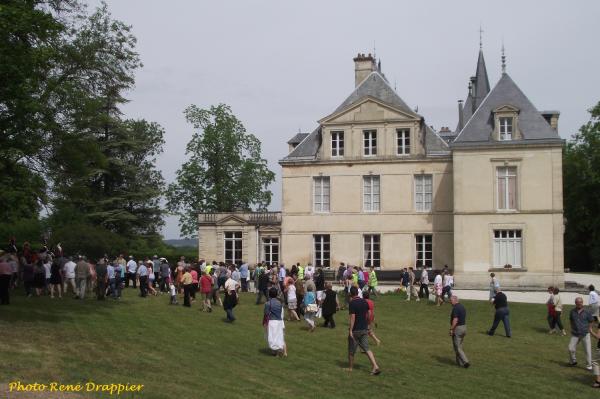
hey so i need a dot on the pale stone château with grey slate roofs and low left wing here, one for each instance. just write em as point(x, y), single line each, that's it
point(373, 184)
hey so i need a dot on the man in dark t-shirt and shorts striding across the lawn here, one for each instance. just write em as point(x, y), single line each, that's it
point(358, 334)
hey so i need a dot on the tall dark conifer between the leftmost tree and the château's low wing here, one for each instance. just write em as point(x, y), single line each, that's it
point(104, 170)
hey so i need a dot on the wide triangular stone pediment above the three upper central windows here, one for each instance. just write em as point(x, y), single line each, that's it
point(367, 110)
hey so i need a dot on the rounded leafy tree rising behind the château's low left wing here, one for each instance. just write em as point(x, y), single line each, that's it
point(225, 170)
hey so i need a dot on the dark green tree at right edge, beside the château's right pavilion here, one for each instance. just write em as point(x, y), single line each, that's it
point(581, 166)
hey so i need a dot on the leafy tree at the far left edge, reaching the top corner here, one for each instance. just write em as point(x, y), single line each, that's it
point(31, 33)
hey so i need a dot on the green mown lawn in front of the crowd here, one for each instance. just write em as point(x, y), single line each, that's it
point(179, 352)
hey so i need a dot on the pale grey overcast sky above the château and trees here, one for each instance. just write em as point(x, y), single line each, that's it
point(283, 65)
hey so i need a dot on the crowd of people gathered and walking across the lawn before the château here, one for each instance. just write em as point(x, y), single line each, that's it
point(300, 292)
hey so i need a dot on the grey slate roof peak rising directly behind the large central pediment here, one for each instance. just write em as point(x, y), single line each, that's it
point(375, 85)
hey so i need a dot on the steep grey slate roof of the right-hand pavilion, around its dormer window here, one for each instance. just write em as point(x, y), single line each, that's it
point(532, 125)
